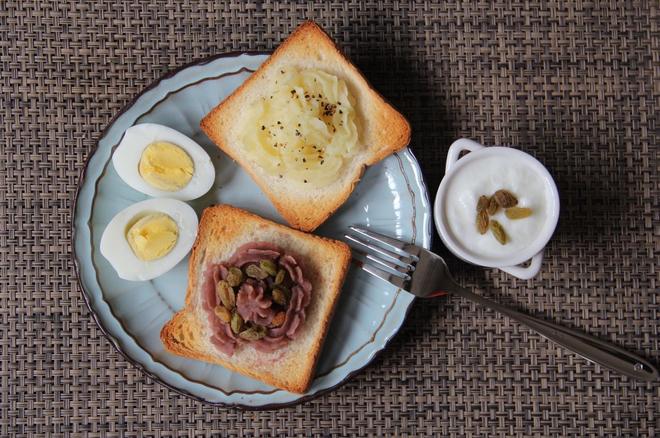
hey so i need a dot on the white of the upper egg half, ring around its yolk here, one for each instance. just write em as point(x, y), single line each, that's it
point(126, 160)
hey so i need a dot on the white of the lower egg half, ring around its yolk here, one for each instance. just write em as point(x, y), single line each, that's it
point(115, 247)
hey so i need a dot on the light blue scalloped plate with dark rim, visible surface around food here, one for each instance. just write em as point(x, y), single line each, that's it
point(391, 198)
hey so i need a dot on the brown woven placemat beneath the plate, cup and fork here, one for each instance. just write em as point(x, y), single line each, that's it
point(575, 84)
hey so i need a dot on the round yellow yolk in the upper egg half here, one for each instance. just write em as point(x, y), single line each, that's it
point(166, 166)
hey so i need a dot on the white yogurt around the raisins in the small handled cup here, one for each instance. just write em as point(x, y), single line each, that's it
point(484, 176)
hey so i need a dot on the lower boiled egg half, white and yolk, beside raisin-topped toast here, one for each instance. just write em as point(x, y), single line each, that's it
point(147, 239)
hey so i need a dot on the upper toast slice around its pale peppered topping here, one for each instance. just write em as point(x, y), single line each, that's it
point(382, 130)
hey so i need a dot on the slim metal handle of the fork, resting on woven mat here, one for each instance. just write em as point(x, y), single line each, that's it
point(587, 346)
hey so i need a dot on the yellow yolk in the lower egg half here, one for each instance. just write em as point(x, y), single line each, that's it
point(153, 236)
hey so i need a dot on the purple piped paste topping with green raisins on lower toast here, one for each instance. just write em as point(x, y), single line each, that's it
point(257, 297)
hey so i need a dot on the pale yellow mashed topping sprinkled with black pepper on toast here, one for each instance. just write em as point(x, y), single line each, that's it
point(305, 128)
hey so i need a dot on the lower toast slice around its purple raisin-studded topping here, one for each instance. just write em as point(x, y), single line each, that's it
point(325, 262)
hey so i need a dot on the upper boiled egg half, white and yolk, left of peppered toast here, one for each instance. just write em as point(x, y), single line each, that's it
point(162, 162)
